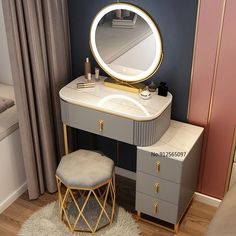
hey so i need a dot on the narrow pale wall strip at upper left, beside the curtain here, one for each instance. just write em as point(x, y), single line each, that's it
point(5, 68)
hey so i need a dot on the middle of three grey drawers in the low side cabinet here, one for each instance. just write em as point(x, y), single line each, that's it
point(157, 188)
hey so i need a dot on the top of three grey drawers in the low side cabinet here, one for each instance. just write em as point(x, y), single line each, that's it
point(162, 167)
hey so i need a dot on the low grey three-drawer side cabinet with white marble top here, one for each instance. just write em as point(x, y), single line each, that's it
point(165, 184)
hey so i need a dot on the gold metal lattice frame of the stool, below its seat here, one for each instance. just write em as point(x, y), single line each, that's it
point(101, 198)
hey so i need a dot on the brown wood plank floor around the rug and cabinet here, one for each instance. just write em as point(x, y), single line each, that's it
point(194, 223)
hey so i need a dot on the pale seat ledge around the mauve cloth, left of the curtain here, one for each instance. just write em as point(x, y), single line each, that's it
point(8, 118)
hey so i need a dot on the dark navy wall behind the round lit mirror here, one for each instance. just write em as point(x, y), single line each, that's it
point(176, 20)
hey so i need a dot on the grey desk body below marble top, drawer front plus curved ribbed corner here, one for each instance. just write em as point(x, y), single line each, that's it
point(139, 133)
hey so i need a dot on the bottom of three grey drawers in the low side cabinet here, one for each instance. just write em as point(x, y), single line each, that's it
point(157, 208)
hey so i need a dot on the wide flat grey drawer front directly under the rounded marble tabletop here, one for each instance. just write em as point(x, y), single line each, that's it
point(97, 122)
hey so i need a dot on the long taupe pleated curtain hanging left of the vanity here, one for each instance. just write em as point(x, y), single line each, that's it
point(38, 40)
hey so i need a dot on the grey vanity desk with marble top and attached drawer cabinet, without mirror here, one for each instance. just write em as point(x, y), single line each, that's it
point(167, 151)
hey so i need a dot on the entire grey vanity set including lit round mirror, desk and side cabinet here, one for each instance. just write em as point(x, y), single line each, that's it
point(168, 152)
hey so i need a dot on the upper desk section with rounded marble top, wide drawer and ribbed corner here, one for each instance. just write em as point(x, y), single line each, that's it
point(115, 114)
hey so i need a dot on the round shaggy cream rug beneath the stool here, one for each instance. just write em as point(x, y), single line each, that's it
point(46, 222)
